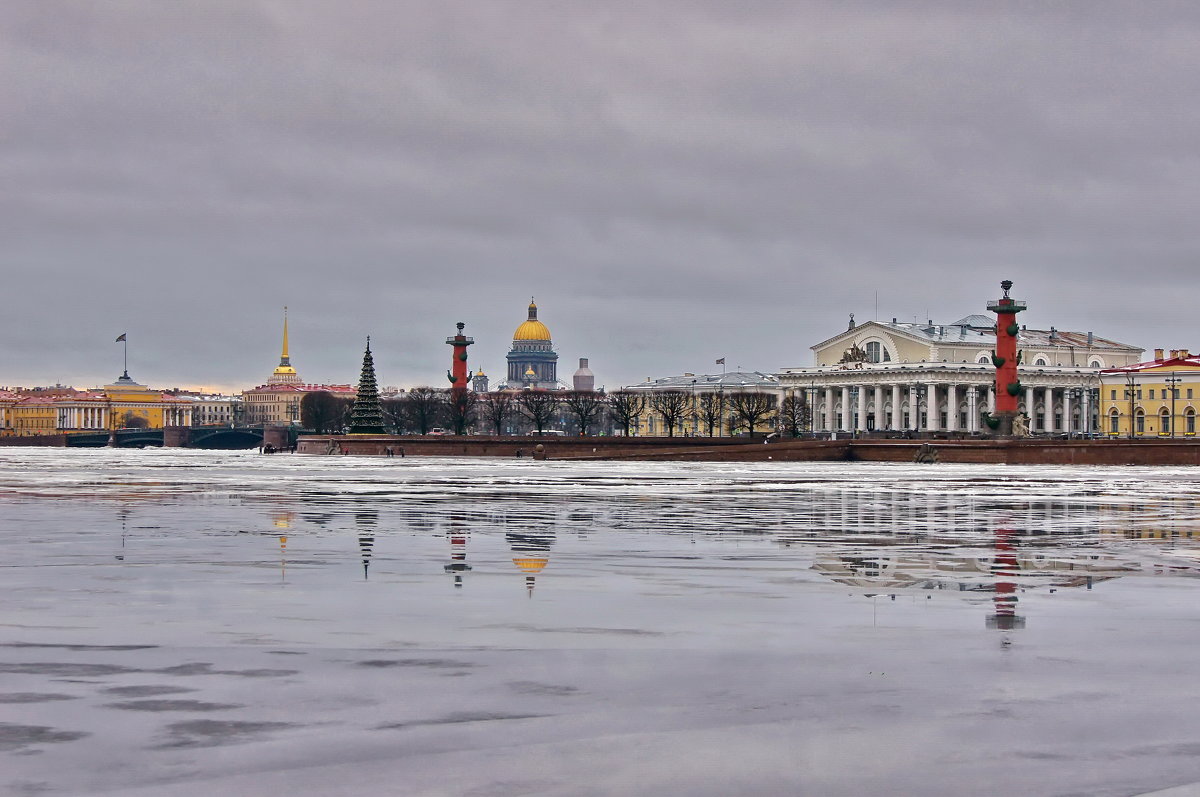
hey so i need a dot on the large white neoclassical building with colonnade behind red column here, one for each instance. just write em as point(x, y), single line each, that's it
point(899, 376)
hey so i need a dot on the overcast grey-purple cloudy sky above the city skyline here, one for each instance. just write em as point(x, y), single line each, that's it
point(674, 182)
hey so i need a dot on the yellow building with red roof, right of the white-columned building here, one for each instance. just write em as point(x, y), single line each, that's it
point(1155, 399)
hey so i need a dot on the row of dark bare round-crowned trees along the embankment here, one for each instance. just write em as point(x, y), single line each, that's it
point(424, 410)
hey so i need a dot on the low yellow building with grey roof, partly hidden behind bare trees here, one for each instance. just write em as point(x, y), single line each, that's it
point(698, 391)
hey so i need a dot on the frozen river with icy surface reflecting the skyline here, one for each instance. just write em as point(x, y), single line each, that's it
point(191, 624)
